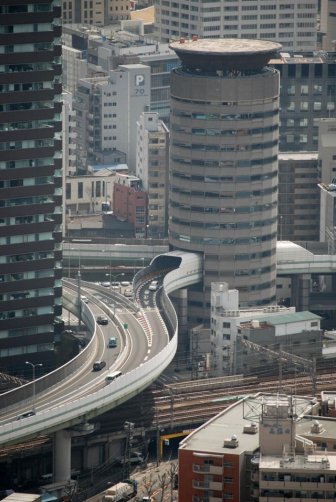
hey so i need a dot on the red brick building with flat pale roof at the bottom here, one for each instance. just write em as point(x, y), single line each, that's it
point(212, 459)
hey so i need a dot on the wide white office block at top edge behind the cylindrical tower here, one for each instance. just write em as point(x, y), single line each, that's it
point(291, 23)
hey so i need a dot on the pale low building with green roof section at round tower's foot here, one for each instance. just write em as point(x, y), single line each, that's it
point(275, 327)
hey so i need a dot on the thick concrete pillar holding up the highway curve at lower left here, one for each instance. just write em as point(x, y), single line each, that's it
point(62, 456)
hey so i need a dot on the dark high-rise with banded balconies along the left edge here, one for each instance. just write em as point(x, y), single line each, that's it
point(30, 180)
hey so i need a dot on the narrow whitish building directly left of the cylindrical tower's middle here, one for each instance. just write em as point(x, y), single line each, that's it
point(152, 168)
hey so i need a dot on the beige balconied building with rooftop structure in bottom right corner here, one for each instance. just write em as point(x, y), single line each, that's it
point(305, 463)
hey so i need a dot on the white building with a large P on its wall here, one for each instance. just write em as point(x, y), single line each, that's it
point(107, 110)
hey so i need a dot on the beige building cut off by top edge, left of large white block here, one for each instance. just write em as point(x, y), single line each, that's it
point(94, 12)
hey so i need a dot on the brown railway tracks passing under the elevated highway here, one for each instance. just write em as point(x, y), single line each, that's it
point(190, 403)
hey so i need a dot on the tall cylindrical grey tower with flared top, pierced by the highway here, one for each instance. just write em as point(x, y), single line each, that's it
point(224, 166)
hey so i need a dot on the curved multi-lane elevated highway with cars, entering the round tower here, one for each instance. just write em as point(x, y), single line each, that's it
point(155, 347)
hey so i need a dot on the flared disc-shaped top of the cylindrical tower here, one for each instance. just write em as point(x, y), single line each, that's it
point(226, 54)
